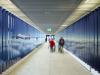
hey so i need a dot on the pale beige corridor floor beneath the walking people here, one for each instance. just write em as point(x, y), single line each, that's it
point(43, 62)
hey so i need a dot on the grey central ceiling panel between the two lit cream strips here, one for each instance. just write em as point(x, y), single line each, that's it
point(47, 13)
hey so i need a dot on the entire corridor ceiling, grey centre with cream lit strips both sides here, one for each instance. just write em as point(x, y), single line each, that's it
point(50, 14)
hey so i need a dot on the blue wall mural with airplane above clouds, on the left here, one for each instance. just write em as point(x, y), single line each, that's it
point(17, 39)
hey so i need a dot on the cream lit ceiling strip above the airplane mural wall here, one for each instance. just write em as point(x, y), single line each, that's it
point(8, 5)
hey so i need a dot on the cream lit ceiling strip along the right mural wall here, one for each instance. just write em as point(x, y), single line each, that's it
point(84, 8)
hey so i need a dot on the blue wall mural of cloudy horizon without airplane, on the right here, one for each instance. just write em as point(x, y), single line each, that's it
point(83, 38)
